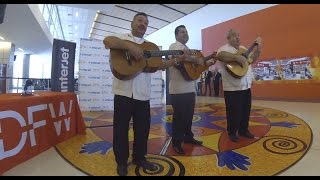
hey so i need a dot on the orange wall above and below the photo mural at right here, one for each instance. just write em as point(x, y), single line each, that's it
point(289, 30)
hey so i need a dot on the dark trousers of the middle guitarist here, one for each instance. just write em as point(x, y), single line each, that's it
point(183, 110)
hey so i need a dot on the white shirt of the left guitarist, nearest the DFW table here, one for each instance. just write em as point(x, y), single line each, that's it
point(139, 87)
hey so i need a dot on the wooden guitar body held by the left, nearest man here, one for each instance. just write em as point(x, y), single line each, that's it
point(124, 66)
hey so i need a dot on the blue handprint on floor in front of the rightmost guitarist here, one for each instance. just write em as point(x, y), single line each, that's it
point(232, 160)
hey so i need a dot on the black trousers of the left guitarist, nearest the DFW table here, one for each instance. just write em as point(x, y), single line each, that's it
point(124, 109)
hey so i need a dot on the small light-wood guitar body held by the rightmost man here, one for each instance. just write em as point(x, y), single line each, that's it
point(235, 69)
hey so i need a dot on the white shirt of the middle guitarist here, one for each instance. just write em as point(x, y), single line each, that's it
point(177, 84)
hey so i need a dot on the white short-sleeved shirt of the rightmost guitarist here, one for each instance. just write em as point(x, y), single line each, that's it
point(230, 83)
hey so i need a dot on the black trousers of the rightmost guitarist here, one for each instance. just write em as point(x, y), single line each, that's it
point(238, 107)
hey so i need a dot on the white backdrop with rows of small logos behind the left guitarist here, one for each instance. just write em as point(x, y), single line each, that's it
point(95, 78)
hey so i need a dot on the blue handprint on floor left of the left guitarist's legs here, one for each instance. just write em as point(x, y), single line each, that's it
point(94, 147)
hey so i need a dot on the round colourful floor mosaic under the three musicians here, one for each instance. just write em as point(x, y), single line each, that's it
point(281, 139)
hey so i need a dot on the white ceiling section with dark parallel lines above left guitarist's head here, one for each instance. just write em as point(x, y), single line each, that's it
point(118, 19)
